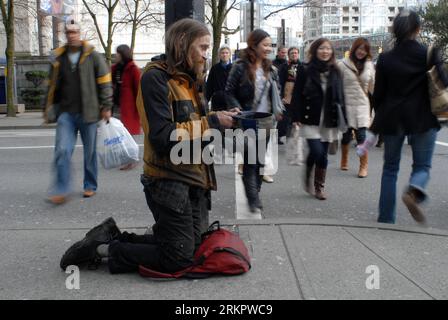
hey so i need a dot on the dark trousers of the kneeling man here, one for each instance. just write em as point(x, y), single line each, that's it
point(181, 214)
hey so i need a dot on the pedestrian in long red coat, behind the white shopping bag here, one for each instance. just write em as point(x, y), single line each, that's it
point(126, 80)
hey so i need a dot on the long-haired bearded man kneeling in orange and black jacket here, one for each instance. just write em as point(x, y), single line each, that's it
point(178, 195)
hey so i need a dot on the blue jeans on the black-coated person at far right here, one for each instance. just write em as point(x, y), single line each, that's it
point(422, 150)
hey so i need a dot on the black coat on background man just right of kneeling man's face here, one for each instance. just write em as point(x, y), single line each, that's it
point(216, 85)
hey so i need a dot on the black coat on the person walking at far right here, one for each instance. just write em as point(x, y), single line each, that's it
point(401, 98)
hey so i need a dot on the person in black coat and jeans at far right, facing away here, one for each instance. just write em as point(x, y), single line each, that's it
point(402, 108)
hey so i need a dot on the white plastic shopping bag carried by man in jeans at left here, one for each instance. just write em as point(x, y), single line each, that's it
point(115, 145)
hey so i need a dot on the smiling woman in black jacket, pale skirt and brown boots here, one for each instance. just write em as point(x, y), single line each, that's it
point(318, 107)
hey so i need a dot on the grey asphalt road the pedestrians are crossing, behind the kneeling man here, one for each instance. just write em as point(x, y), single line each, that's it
point(25, 170)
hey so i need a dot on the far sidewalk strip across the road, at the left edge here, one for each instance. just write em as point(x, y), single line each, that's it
point(27, 120)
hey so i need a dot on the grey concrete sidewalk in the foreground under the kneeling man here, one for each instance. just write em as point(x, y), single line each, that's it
point(292, 259)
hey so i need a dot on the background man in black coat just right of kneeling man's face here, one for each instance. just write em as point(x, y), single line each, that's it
point(217, 79)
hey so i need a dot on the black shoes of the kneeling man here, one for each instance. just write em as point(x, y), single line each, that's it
point(84, 251)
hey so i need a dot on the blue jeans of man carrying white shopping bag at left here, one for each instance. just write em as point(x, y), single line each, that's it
point(66, 133)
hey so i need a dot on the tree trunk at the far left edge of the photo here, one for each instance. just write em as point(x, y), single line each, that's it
point(10, 48)
